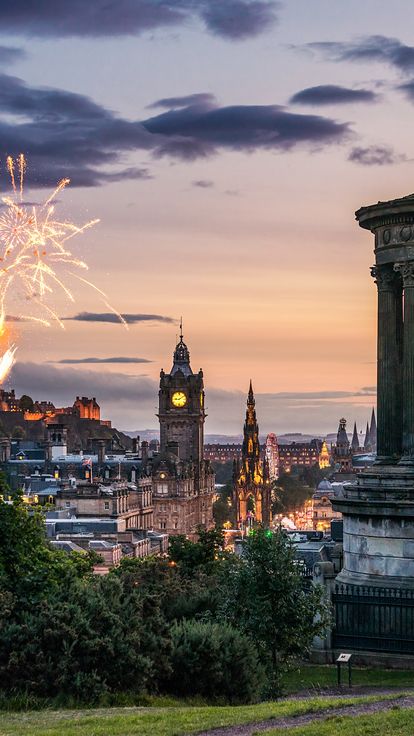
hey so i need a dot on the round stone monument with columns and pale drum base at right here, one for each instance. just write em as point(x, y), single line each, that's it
point(378, 510)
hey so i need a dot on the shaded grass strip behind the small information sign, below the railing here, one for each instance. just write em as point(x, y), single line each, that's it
point(316, 677)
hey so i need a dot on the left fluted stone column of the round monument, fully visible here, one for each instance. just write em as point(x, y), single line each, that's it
point(389, 366)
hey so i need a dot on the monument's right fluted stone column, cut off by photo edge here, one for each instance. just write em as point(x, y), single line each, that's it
point(407, 272)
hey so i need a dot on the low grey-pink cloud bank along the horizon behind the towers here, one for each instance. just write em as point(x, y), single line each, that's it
point(130, 401)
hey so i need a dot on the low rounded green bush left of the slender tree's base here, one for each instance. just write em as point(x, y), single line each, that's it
point(214, 660)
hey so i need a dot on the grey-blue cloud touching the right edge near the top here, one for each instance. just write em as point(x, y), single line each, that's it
point(370, 48)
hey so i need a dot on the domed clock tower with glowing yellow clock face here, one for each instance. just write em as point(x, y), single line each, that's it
point(181, 407)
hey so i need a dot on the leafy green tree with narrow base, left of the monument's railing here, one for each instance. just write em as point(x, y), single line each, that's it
point(264, 596)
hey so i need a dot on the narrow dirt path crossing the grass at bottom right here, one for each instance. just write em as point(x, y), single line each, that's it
point(302, 720)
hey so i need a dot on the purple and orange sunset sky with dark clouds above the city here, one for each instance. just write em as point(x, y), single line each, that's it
point(224, 147)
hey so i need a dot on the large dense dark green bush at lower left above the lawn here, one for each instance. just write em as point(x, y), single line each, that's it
point(89, 638)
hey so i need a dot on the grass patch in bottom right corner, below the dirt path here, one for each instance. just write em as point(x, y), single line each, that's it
point(396, 722)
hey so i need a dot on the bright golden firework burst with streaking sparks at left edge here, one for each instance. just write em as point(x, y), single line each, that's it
point(34, 255)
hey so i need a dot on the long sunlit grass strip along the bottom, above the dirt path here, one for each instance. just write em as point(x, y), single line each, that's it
point(167, 721)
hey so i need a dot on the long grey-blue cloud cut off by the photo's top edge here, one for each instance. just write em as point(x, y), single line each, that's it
point(232, 19)
